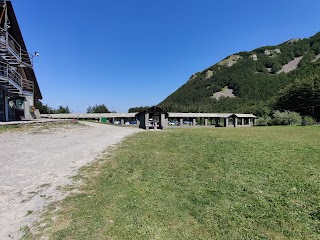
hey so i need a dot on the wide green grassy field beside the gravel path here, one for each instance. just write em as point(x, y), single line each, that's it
point(252, 183)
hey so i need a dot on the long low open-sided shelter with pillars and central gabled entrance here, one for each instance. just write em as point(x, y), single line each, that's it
point(158, 118)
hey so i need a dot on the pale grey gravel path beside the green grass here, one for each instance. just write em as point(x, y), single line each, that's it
point(34, 163)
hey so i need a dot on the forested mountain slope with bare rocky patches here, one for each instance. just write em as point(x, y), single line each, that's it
point(255, 77)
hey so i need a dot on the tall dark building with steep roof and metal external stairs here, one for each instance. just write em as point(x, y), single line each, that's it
point(18, 84)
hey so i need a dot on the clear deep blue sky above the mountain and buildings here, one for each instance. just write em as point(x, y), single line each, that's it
point(128, 53)
